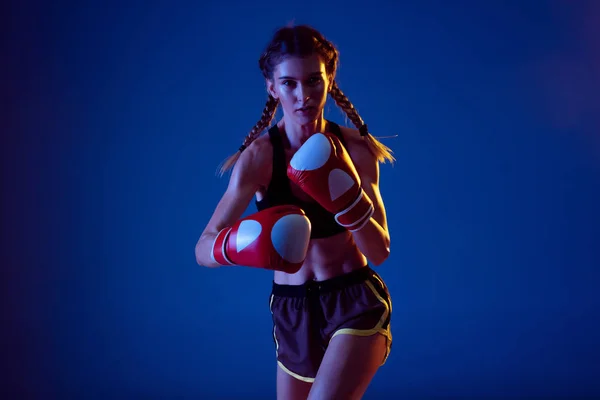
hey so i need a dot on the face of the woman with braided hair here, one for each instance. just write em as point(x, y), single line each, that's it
point(301, 85)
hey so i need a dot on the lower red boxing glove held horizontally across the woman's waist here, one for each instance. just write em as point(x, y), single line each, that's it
point(275, 238)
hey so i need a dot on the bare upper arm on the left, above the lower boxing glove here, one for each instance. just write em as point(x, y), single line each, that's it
point(246, 177)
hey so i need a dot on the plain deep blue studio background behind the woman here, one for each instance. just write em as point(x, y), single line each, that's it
point(117, 114)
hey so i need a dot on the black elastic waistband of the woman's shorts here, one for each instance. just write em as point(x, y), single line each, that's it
point(338, 282)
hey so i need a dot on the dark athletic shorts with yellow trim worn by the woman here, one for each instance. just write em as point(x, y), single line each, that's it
point(306, 317)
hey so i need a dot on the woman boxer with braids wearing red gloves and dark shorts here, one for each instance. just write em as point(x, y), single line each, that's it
point(320, 222)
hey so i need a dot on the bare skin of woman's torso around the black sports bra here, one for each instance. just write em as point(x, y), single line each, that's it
point(326, 257)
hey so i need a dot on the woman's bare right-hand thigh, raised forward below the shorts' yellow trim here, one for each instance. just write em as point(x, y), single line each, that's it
point(349, 364)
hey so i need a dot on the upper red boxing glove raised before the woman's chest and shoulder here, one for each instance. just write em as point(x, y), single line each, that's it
point(323, 169)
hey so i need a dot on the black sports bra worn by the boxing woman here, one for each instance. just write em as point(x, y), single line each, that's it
point(279, 192)
